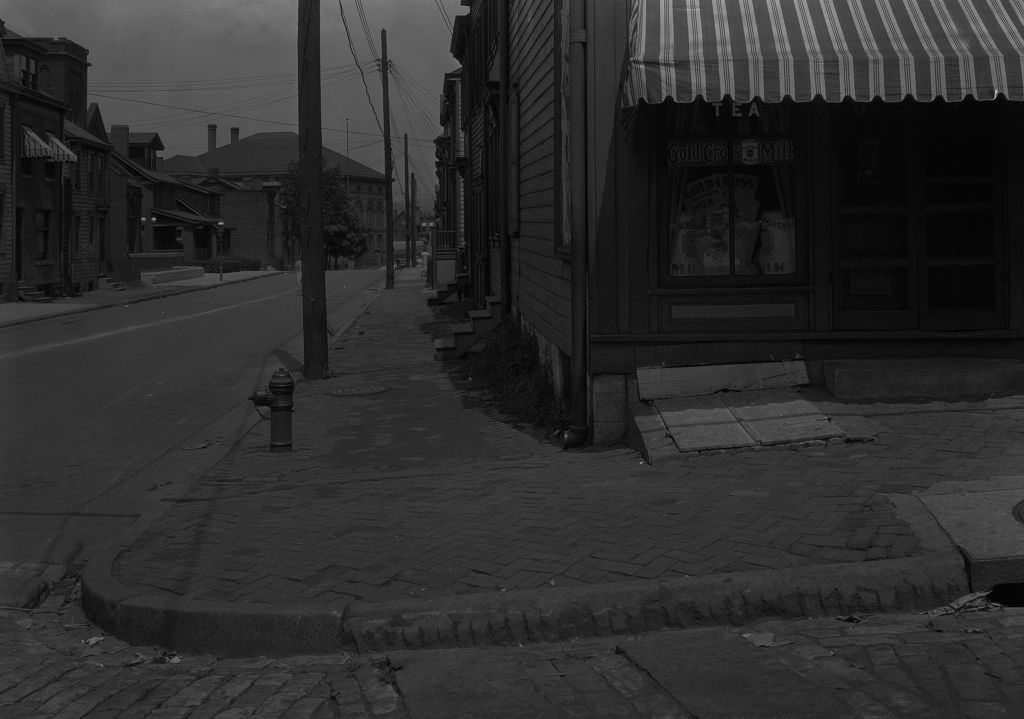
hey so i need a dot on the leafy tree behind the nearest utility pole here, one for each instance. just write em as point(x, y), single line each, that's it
point(344, 236)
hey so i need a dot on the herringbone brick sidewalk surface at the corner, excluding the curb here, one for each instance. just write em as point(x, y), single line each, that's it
point(403, 485)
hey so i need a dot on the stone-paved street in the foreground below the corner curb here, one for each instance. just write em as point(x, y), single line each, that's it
point(968, 665)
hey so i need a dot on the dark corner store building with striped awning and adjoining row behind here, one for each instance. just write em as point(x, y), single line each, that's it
point(721, 183)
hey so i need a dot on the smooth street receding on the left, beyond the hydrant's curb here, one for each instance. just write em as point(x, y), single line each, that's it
point(95, 399)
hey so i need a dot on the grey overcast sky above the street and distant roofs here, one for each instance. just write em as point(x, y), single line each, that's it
point(175, 67)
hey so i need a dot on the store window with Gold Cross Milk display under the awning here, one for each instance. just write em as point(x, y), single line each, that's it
point(730, 199)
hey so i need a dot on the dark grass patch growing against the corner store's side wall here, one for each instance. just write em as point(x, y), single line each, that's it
point(509, 372)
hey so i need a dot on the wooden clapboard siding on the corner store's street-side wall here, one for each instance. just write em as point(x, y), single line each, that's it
point(540, 275)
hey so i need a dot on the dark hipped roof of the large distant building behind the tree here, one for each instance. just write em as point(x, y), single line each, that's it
point(272, 154)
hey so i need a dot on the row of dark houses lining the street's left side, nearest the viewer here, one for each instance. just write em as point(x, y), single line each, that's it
point(81, 204)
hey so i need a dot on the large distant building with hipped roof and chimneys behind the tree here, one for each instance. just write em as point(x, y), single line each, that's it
point(249, 174)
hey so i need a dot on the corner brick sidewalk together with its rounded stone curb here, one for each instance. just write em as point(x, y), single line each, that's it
point(416, 517)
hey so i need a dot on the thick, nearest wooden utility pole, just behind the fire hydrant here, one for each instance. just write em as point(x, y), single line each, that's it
point(311, 208)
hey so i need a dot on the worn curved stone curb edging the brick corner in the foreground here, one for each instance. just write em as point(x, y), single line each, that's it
point(145, 617)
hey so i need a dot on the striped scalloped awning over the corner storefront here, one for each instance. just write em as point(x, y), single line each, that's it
point(801, 50)
